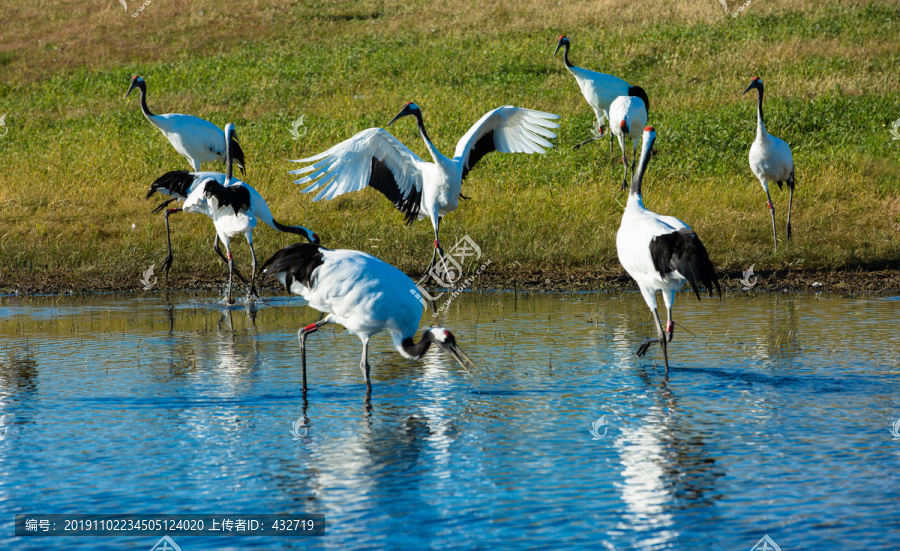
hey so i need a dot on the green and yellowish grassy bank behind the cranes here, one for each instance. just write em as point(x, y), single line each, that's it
point(77, 157)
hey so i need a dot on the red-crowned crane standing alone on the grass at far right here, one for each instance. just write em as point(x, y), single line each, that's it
point(770, 160)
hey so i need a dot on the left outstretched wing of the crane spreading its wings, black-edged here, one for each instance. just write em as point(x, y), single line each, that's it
point(372, 158)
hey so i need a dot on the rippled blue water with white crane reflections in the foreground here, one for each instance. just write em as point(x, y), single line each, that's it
point(774, 419)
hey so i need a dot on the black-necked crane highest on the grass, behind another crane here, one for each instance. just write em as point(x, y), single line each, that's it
point(600, 90)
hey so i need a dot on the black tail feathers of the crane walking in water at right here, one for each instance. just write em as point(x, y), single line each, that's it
point(682, 251)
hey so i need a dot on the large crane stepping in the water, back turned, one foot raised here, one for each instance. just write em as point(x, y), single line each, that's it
point(661, 253)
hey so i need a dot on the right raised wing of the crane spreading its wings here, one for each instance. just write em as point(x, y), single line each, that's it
point(506, 129)
